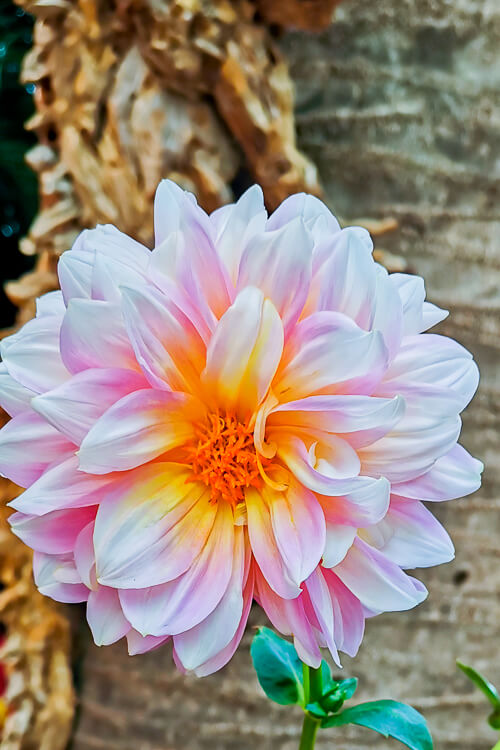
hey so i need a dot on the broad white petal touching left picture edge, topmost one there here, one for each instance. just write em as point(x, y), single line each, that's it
point(32, 354)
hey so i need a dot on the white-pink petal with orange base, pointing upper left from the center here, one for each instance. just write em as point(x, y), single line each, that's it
point(166, 344)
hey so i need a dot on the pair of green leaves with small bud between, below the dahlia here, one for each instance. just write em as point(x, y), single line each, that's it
point(280, 673)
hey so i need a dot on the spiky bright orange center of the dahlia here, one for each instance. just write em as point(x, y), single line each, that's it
point(225, 458)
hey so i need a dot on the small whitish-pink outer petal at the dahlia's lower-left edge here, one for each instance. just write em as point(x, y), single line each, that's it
point(50, 573)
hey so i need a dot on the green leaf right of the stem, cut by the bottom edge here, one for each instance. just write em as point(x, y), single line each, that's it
point(389, 718)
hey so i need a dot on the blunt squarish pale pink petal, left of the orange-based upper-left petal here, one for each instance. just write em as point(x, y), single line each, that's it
point(93, 335)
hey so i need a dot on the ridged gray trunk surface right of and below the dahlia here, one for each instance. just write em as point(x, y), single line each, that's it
point(398, 105)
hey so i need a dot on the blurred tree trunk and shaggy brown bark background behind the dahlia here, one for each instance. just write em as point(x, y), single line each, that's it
point(391, 111)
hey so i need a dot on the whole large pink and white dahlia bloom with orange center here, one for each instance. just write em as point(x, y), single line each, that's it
point(249, 411)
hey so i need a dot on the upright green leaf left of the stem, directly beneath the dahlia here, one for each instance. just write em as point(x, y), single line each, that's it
point(279, 669)
